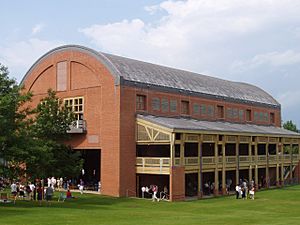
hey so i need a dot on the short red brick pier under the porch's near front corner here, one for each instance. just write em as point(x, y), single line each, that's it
point(177, 184)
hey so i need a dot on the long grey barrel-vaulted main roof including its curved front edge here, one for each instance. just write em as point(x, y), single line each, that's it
point(133, 72)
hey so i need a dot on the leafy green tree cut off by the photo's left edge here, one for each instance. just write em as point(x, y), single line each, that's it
point(13, 121)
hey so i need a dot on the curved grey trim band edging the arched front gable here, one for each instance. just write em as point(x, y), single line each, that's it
point(98, 55)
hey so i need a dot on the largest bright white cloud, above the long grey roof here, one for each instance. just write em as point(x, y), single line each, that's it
point(193, 34)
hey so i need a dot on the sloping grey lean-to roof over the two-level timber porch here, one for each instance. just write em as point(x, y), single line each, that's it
point(188, 124)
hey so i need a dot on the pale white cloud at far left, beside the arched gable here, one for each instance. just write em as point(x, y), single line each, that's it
point(19, 56)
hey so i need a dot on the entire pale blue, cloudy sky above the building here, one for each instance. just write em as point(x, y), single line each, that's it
point(255, 41)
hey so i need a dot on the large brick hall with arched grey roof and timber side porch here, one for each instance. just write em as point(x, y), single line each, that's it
point(140, 124)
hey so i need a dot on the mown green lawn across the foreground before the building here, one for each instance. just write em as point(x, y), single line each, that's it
point(278, 206)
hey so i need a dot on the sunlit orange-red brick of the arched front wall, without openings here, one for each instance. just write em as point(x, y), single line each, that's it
point(87, 77)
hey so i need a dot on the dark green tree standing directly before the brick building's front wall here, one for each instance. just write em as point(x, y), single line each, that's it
point(48, 155)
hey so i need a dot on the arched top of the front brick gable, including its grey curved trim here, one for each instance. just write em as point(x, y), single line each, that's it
point(72, 67)
